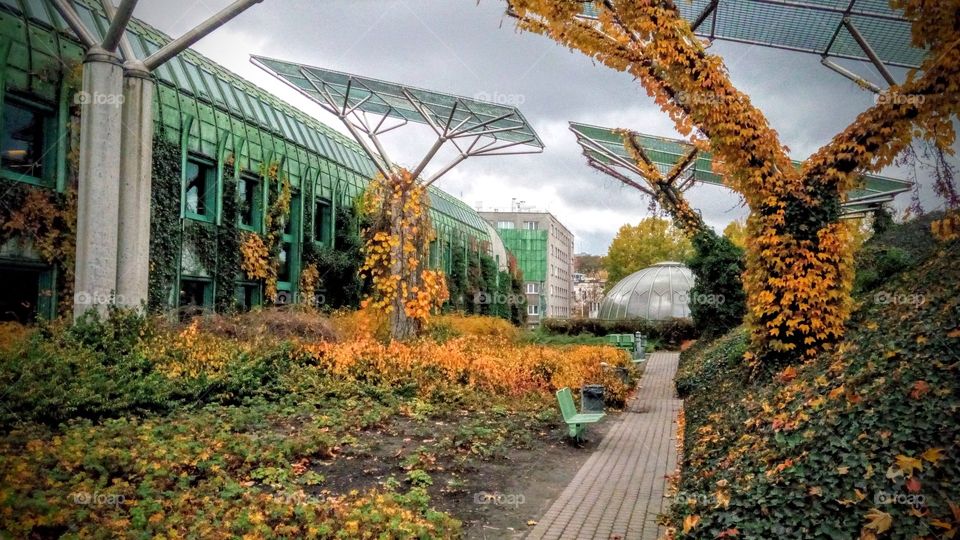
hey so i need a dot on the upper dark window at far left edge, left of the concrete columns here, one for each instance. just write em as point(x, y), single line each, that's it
point(26, 131)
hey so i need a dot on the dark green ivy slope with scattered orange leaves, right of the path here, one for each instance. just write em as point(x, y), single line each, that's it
point(862, 442)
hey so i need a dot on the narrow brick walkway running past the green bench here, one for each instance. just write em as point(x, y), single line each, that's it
point(618, 492)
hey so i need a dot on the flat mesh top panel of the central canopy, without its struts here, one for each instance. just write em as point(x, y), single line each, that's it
point(500, 122)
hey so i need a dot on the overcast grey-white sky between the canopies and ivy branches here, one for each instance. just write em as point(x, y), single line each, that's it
point(470, 48)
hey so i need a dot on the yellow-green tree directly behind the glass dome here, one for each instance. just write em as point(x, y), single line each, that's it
point(638, 246)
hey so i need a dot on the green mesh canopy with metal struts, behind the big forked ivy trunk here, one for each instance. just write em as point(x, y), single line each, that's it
point(682, 165)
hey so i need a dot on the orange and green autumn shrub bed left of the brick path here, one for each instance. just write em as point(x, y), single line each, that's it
point(219, 428)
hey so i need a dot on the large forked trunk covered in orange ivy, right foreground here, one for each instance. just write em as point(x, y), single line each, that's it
point(799, 269)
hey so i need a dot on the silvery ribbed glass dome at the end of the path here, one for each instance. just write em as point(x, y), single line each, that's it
point(657, 293)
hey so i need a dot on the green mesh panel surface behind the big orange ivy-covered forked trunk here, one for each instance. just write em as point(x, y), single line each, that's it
point(605, 146)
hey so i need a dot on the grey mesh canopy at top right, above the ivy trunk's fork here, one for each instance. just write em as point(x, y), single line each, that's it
point(865, 30)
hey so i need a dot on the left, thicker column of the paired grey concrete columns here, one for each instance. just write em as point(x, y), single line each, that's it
point(98, 194)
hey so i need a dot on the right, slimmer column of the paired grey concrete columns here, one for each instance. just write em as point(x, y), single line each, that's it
point(136, 147)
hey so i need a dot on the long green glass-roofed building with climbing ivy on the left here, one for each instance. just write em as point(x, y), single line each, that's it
point(226, 132)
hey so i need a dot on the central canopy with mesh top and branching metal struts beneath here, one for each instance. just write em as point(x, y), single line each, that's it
point(370, 108)
